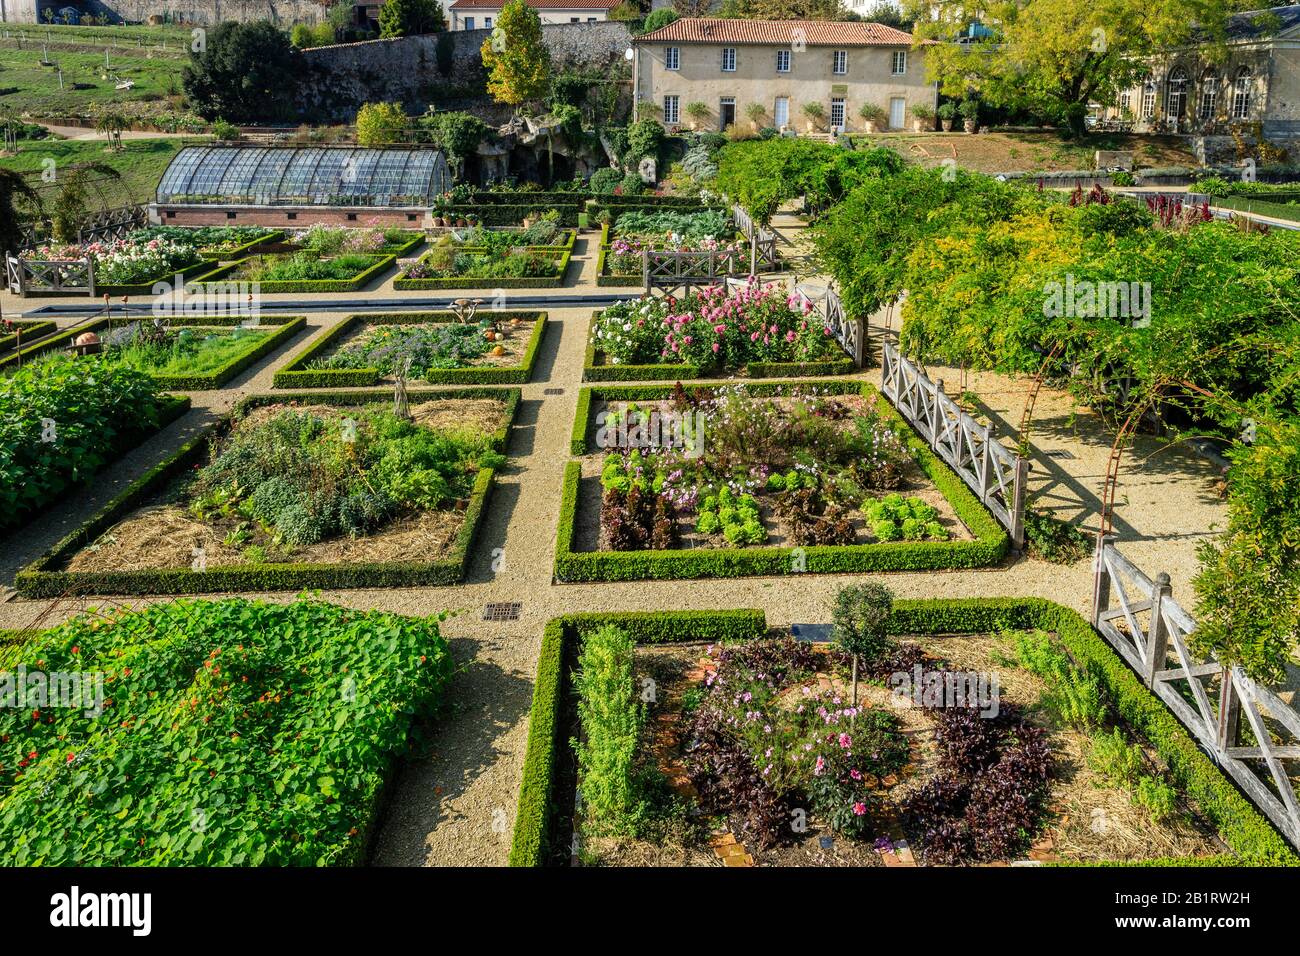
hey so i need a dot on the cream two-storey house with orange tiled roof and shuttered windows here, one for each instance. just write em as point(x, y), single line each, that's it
point(782, 67)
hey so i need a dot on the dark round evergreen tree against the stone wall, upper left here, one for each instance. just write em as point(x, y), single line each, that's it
point(245, 73)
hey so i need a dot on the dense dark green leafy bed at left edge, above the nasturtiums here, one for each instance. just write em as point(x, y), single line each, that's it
point(63, 421)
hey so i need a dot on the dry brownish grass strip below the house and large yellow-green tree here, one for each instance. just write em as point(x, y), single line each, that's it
point(1039, 153)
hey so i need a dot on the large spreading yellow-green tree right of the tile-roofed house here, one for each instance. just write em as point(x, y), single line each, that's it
point(1052, 58)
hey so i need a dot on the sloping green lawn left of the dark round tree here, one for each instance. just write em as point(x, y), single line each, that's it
point(155, 73)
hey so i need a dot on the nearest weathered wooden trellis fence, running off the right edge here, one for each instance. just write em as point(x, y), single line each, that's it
point(1139, 618)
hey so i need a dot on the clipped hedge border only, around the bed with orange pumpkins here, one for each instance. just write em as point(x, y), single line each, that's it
point(296, 375)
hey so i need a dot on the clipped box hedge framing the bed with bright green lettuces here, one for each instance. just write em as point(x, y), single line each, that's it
point(989, 548)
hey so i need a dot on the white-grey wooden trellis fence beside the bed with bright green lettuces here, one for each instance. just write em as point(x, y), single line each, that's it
point(998, 477)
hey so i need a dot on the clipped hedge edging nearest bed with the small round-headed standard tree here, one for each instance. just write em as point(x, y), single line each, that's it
point(1243, 828)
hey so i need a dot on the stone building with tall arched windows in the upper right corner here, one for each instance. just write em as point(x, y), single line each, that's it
point(1249, 85)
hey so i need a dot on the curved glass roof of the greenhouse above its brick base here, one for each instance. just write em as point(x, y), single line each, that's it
point(305, 176)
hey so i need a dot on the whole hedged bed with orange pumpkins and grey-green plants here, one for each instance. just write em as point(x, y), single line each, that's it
point(361, 351)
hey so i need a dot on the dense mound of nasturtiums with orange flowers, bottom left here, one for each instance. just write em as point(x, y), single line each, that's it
point(248, 712)
